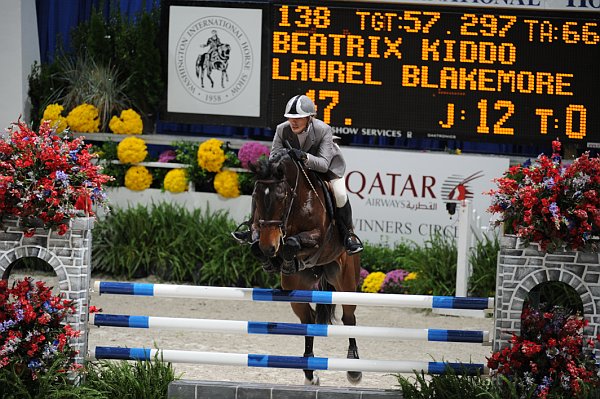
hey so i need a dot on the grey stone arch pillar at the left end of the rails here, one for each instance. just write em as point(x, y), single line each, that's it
point(70, 257)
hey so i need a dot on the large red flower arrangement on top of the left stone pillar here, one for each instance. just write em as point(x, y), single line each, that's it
point(47, 179)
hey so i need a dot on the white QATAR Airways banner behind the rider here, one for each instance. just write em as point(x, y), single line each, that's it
point(401, 196)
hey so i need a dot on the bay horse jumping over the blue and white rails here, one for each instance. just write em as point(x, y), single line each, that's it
point(298, 239)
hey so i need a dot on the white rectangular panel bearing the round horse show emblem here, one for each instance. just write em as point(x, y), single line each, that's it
point(215, 60)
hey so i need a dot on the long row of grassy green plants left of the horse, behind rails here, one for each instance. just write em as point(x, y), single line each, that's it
point(176, 245)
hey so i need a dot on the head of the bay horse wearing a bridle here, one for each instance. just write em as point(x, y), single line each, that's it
point(274, 191)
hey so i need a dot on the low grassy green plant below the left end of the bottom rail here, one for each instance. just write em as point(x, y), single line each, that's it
point(125, 380)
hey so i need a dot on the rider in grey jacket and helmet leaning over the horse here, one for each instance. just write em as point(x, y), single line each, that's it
point(312, 143)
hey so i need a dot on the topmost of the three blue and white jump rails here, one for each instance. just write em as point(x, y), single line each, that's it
point(273, 295)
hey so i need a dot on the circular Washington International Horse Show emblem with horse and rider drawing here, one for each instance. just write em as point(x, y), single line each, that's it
point(214, 59)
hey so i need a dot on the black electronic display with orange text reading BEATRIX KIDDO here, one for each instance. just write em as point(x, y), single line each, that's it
point(440, 72)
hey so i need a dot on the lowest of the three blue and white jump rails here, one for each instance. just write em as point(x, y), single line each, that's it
point(294, 362)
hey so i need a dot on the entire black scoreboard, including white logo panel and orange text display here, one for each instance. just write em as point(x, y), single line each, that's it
point(467, 70)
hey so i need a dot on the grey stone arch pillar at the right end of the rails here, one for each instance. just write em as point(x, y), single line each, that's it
point(521, 268)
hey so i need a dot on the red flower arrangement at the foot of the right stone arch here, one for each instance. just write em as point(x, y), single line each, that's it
point(550, 357)
